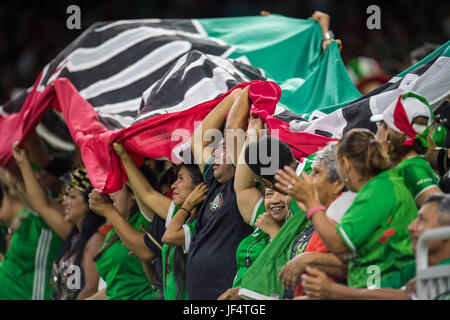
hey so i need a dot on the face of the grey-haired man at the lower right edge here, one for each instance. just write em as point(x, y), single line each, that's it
point(427, 219)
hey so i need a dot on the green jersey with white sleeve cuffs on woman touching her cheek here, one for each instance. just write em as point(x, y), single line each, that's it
point(169, 283)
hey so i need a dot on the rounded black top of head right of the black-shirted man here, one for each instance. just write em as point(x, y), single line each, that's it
point(267, 155)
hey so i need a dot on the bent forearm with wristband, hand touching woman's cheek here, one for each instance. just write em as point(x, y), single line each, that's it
point(175, 235)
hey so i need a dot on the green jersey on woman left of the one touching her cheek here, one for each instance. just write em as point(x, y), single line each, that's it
point(124, 274)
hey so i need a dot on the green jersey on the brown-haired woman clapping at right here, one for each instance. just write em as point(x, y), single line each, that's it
point(375, 227)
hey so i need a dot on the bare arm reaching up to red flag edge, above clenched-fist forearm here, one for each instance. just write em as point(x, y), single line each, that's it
point(142, 188)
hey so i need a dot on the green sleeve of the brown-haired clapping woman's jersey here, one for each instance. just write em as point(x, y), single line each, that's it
point(371, 206)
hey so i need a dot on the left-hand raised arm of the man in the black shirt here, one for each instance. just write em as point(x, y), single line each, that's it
point(214, 120)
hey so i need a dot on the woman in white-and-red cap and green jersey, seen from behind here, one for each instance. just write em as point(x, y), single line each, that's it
point(404, 129)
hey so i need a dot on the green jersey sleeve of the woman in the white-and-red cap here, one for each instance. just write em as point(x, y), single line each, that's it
point(417, 174)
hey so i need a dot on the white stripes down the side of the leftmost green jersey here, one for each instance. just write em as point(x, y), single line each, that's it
point(40, 260)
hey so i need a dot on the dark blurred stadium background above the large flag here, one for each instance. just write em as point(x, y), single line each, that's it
point(33, 33)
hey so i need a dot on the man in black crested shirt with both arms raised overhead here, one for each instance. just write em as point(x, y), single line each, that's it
point(211, 264)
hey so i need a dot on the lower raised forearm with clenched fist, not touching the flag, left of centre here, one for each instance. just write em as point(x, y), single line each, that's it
point(102, 205)
